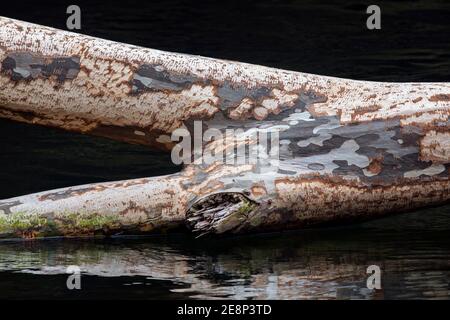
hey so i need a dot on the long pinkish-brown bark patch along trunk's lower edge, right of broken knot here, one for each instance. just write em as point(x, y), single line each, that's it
point(337, 199)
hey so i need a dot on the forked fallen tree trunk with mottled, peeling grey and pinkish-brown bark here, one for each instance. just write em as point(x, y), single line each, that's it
point(345, 149)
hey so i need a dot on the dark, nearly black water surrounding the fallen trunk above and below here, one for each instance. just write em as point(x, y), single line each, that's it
point(327, 37)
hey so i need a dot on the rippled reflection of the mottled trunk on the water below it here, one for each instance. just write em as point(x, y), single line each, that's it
point(314, 264)
